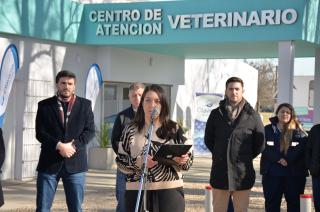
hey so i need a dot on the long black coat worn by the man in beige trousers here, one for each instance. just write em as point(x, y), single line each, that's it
point(233, 147)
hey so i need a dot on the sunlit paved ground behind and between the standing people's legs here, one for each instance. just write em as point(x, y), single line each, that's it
point(100, 191)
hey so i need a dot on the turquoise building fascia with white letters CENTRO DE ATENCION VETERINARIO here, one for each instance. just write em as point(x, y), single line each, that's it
point(140, 24)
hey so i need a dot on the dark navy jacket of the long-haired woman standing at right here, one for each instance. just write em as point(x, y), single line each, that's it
point(295, 155)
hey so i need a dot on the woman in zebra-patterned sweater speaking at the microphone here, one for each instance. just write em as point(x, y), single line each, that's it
point(164, 182)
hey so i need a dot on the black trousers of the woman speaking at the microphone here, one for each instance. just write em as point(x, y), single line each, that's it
point(164, 200)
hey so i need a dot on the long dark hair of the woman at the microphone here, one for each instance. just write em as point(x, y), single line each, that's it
point(166, 124)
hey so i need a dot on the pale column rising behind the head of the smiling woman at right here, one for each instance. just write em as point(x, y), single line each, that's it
point(285, 71)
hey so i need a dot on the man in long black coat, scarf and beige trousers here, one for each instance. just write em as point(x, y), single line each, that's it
point(235, 136)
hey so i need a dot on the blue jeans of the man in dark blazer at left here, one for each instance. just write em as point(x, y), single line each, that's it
point(73, 187)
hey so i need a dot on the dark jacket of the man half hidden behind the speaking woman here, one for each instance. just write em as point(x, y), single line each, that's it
point(123, 118)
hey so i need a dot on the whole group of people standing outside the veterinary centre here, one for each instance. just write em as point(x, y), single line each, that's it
point(234, 134)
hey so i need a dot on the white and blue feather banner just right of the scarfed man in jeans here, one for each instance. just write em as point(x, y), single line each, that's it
point(93, 83)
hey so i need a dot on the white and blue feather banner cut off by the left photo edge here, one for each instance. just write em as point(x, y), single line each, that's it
point(8, 69)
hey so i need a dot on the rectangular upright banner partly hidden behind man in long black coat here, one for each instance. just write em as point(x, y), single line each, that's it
point(205, 103)
